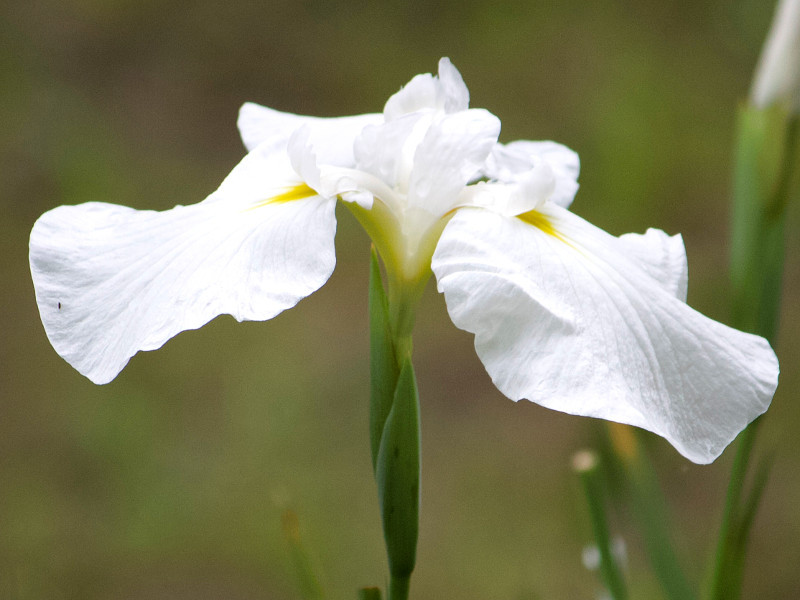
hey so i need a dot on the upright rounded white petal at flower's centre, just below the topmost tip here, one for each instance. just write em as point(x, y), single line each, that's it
point(451, 153)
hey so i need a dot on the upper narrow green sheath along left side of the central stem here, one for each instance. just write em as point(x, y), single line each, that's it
point(384, 371)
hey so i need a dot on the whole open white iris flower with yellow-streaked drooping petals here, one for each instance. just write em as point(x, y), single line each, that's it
point(563, 313)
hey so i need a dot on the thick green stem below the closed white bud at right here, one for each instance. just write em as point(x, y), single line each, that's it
point(765, 179)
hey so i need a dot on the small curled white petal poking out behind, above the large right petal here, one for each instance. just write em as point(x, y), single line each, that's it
point(509, 163)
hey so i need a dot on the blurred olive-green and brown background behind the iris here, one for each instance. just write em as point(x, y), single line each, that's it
point(170, 482)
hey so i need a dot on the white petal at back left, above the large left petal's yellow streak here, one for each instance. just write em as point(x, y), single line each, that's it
point(332, 138)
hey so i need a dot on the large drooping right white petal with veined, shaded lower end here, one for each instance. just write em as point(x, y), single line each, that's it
point(563, 316)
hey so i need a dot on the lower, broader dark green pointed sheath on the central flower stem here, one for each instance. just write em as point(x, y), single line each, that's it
point(397, 475)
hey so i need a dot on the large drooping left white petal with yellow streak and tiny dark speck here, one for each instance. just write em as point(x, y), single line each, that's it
point(111, 281)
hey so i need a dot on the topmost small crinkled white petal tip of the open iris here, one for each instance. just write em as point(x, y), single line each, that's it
point(447, 93)
